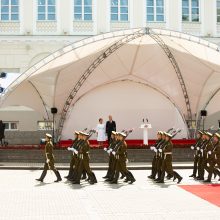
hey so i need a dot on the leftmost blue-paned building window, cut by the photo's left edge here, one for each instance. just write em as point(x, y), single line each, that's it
point(9, 10)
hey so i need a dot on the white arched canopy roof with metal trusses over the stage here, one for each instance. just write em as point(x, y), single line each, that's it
point(183, 68)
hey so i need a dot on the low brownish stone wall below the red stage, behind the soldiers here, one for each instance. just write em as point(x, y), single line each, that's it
point(96, 155)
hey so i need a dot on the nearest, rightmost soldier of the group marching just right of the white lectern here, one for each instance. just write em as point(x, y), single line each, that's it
point(167, 161)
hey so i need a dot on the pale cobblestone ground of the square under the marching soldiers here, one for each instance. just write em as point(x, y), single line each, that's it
point(24, 198)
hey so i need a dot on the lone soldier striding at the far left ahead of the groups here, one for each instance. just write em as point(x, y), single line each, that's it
point(49, 164)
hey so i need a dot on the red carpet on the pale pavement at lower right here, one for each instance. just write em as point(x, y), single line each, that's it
point(210, 192)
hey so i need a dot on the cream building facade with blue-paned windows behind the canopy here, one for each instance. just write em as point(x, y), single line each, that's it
point(32, 29)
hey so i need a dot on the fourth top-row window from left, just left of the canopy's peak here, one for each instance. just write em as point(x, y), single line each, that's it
point(119, 10)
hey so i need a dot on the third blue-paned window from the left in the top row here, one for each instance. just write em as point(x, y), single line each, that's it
point(83, 10)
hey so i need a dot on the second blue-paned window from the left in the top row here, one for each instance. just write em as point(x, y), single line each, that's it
point(46, 10)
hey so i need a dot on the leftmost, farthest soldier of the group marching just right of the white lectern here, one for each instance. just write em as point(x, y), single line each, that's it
point(154, 162)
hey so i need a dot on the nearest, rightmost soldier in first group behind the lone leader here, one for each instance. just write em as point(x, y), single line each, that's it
point(83, 161)
